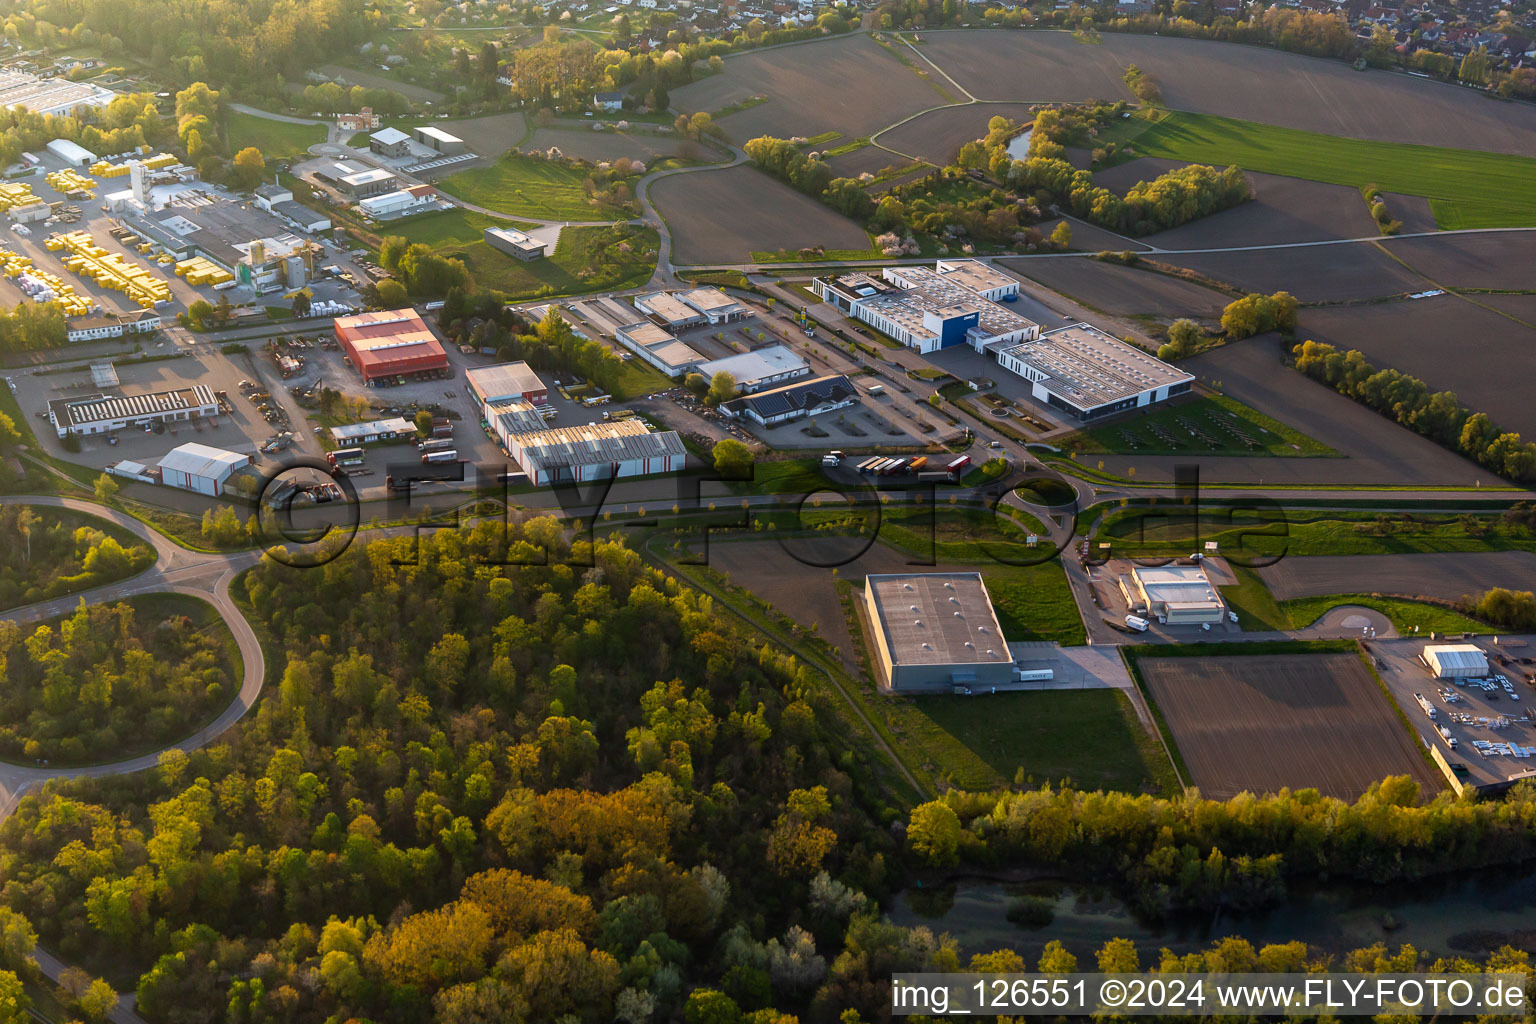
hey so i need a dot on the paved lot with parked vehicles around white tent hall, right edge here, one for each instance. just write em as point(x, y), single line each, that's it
point(1492, 721)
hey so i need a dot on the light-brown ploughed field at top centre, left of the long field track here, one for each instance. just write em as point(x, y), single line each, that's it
point(847, 85)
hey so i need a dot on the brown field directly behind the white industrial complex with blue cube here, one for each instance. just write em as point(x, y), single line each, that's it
point(1121, 291)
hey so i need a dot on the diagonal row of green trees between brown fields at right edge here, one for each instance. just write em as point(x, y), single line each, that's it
point(1438, 417)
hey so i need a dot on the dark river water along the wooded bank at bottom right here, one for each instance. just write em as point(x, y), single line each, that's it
point(1465, 914)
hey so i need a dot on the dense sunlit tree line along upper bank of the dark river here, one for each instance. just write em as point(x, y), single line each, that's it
point(1194, 854)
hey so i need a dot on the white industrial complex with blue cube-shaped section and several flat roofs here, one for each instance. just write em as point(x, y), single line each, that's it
point(929, 309)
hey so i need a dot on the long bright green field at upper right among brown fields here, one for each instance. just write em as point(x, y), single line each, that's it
point(1466, 188)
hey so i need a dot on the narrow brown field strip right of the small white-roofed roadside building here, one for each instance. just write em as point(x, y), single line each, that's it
point(1438, 576)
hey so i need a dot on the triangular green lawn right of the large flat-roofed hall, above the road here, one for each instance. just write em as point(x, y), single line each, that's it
point(1230, 428)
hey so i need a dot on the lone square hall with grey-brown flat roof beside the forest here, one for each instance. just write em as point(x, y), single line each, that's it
point(936, 632)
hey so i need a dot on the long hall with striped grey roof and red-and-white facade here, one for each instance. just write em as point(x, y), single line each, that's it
point(597, 452)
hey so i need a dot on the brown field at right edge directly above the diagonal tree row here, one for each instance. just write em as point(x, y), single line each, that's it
point(1428, 339)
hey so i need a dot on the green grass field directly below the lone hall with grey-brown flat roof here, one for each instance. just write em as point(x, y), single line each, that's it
point(1087, 736)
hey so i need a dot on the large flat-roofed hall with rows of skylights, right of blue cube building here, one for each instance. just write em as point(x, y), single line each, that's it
point(1088, 374)
